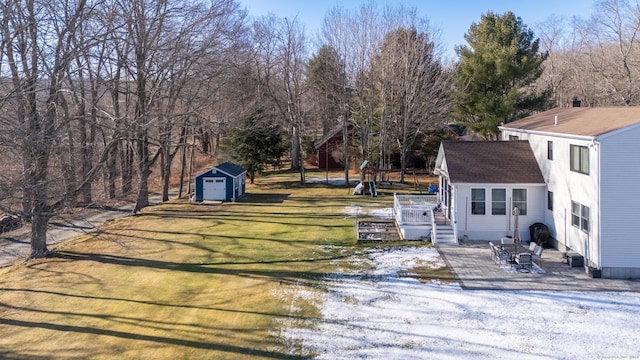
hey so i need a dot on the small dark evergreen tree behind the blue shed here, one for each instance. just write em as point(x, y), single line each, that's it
point(255, 143)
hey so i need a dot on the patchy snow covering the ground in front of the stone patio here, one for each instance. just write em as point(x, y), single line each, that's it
point(377, 314)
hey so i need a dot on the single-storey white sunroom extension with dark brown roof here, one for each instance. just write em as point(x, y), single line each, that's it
point(482, 181)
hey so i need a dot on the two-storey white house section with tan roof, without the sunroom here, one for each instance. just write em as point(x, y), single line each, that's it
point(590, 161)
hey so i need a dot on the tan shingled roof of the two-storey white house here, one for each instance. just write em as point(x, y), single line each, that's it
point(583, 121)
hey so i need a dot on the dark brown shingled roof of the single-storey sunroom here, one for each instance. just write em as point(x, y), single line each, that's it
point(491, 162)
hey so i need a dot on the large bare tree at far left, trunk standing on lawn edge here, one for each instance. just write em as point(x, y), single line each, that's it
point(38, 47)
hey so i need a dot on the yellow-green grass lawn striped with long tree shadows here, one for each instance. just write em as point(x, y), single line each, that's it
point(184, 281)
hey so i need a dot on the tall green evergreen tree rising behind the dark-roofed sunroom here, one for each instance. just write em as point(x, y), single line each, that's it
point(495, 75)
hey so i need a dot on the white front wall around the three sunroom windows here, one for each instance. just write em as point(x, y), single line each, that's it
point(494, 227)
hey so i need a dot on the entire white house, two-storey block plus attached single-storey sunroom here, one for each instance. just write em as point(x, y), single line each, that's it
point(586, 189)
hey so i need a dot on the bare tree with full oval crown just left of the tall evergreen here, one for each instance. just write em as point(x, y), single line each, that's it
point(416, 83)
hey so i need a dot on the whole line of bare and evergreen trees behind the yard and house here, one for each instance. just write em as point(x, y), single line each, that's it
point(100, 97)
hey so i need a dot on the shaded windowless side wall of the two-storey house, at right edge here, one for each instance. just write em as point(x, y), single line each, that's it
point(620, 196)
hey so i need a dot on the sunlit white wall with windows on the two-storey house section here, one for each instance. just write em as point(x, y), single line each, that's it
point(568, 186)
